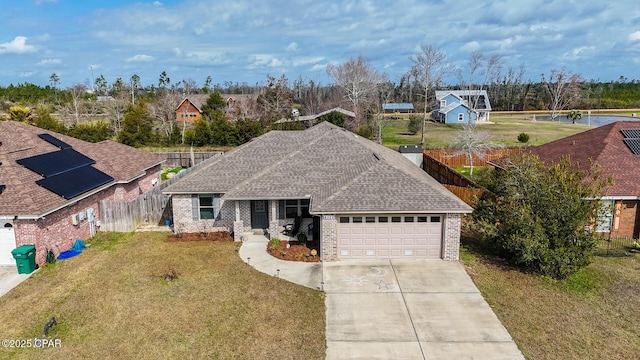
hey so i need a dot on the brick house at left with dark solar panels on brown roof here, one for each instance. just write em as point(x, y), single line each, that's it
point(51, 185)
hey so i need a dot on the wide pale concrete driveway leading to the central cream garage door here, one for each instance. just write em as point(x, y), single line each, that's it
point(417, 309)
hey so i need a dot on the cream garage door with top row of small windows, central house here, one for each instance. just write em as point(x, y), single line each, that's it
point(390, 236)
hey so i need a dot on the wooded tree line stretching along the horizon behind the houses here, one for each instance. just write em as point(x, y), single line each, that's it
point(99, 109)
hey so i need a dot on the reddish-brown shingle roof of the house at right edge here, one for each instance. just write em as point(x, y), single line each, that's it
point(605, 146)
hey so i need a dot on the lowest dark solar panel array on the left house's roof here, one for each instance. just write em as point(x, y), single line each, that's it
point(75, 182)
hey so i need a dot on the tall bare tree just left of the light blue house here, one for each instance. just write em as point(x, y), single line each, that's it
point(429, 68)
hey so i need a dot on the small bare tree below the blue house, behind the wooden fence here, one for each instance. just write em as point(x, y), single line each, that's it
point(471, 142)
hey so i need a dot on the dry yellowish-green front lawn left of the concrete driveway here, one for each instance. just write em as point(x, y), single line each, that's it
point(112, 302)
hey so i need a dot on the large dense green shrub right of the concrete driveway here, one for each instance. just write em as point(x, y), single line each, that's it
point(535, 216)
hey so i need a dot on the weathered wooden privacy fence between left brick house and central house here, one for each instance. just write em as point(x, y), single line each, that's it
point(151, 207)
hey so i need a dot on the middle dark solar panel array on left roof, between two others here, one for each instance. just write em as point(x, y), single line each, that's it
point(56, 162)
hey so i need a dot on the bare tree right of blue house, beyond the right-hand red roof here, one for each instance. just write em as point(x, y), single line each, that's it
point(563, 89)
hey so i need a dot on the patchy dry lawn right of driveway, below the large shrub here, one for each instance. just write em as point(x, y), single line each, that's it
point(593, 315)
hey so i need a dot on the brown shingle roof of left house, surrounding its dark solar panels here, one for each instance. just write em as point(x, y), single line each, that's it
point(24, 197)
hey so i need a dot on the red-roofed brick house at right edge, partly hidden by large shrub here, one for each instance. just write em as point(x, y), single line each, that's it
point(616, 149)
